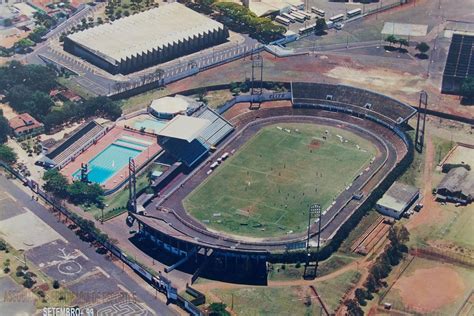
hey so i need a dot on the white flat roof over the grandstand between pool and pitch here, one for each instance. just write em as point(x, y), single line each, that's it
point(184, 127)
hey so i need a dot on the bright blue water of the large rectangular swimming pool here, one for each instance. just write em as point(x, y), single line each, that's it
point(108, 162)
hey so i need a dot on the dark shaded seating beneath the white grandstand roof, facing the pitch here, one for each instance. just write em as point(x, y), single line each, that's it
point(188, 153)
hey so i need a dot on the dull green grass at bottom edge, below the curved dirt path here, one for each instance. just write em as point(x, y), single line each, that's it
point(253, 301)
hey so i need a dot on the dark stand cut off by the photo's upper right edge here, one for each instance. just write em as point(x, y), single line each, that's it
point(459, 63)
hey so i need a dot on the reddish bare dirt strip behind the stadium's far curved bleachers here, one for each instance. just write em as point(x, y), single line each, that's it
point(401, 79)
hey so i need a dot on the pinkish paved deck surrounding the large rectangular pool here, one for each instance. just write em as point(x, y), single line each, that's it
point(103, 143)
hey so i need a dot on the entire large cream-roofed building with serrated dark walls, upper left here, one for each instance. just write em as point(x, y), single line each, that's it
point(145, 39)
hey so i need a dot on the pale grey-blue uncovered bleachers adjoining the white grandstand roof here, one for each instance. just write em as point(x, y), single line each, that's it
point(217, 130)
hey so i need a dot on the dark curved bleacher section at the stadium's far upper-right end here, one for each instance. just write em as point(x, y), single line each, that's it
point(391, 110)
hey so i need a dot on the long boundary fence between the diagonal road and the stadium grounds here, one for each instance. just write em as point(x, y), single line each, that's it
point(156, 281)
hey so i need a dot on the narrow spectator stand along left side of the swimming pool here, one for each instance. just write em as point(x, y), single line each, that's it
point(79, 141)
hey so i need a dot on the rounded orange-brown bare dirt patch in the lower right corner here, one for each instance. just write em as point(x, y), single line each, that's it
point(430, 289)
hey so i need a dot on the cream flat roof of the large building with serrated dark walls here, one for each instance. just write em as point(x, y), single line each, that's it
point(143, 32)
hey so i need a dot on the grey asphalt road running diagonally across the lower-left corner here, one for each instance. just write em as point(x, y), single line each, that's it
point(23, 200)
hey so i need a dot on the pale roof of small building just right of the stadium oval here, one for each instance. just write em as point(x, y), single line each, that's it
point(398, 196)
